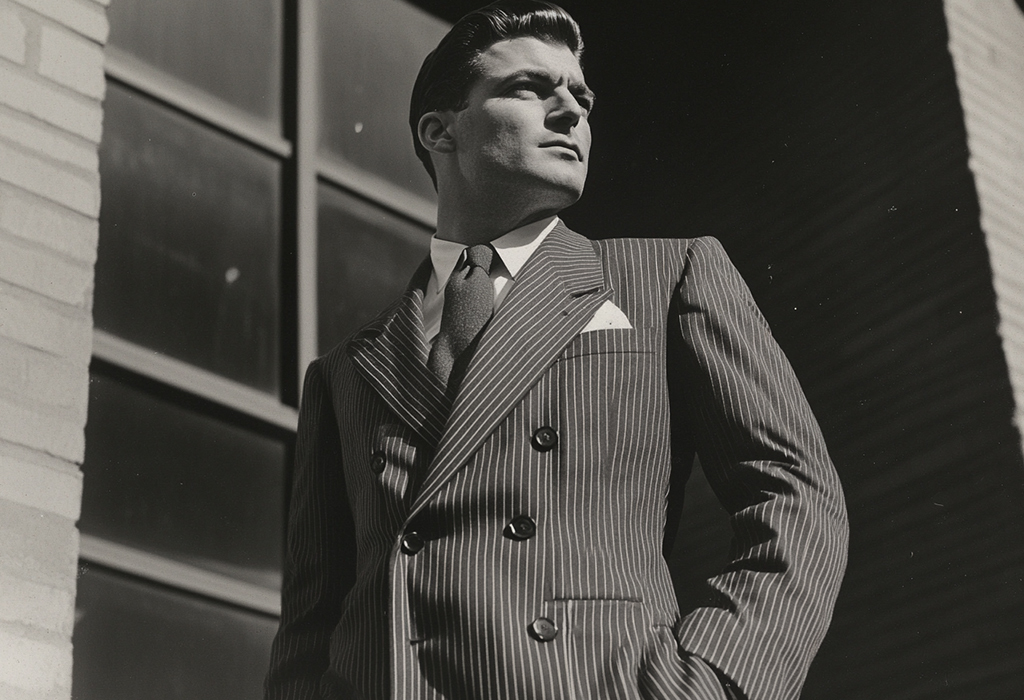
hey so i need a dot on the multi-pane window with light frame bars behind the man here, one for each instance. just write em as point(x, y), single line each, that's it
point(262, 200)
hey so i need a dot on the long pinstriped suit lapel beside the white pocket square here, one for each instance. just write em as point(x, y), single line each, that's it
point(556, 295)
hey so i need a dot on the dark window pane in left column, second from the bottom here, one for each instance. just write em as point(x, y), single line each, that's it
point(180, 485)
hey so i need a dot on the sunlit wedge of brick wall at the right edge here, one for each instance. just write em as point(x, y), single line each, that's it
point(987, 40)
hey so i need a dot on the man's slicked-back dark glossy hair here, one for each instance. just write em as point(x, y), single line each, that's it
point(449, 71)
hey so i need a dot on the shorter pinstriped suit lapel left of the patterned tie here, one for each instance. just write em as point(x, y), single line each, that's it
point(392, 356)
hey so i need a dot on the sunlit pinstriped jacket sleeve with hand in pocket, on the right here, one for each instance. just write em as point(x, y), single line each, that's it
point(764, 456)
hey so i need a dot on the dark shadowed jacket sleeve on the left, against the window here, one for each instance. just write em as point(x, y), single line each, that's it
point(320, 556)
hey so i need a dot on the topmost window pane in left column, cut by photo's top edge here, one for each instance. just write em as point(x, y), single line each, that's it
point(231, 50)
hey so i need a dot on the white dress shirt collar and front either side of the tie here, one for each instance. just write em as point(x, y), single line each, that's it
point(514, 250)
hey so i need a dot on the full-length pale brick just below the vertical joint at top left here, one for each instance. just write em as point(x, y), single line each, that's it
point(72, 113)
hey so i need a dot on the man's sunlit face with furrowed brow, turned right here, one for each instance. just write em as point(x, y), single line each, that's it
point(525, 133)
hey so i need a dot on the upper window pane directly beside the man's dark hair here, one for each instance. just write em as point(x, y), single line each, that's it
point(371, 52)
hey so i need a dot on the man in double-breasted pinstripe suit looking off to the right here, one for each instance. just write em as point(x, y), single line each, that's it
point(486, 473)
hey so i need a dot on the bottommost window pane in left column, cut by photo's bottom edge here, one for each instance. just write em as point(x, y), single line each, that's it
point(136, 641)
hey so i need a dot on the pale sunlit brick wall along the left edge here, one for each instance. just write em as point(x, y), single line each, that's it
point(52, 87)
